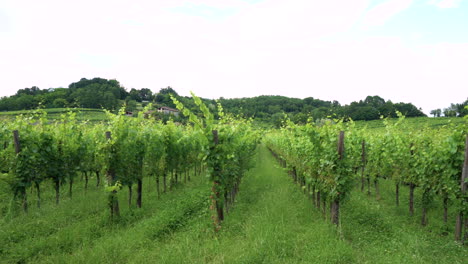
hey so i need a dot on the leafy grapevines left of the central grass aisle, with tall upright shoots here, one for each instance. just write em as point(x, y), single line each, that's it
point(125, 150)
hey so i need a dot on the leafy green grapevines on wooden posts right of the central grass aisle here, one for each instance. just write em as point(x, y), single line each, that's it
point(436, 161)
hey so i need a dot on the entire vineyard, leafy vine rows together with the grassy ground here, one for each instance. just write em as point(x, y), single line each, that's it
point(63, 184)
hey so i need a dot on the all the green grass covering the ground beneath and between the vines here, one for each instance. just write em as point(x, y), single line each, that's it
point(271, 222)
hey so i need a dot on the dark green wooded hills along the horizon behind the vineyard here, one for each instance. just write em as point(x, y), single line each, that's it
point(110, 94)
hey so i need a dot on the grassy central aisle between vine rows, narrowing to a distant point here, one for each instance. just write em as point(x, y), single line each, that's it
point(270, 223)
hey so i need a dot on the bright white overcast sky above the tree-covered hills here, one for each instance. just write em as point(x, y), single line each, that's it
point(402, 50)
